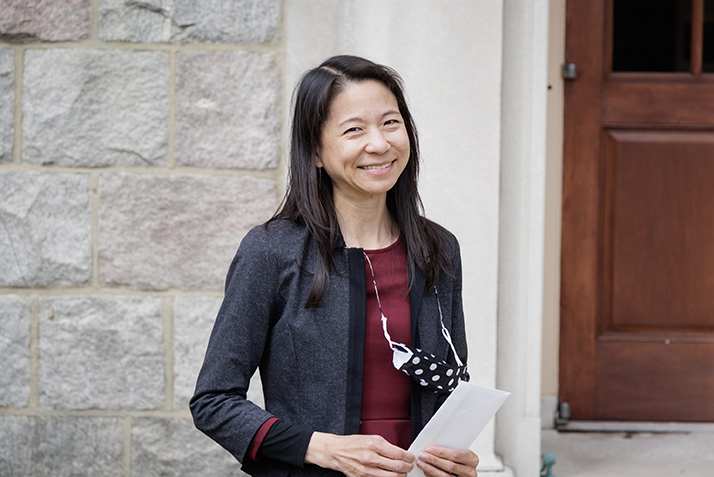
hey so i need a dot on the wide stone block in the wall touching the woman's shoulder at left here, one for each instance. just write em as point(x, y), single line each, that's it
point(159, 232)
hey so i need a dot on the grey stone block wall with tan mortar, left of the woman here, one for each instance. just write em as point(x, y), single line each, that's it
point(139, 141)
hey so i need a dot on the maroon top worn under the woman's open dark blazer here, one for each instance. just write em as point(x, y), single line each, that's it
point(386, 409)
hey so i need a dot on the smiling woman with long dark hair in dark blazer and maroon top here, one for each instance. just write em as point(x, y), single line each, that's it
point(335, 293)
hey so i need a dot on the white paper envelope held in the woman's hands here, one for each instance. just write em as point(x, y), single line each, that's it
point(460, 420)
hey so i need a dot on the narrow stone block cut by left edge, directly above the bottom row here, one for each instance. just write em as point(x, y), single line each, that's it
point(14, 351)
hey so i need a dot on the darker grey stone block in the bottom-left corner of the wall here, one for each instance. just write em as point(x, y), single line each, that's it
point(60, 446)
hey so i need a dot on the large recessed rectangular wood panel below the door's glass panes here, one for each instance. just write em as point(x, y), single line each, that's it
point(660, 231)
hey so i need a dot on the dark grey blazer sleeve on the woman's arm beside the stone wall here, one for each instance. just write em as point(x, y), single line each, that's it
point(219, 405)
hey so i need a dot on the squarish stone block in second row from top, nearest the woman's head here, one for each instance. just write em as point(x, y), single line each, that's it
point(228, 109)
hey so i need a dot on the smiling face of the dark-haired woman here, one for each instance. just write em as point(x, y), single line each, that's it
point(365, 146)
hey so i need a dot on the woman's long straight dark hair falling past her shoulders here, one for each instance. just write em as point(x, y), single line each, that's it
point(309, 199)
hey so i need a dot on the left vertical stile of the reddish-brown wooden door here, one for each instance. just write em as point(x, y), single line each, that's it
point(580, 248)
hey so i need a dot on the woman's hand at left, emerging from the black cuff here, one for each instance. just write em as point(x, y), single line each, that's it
point(358, 455)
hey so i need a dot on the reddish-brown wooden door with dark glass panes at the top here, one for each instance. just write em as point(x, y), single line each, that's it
point(637, 291)
